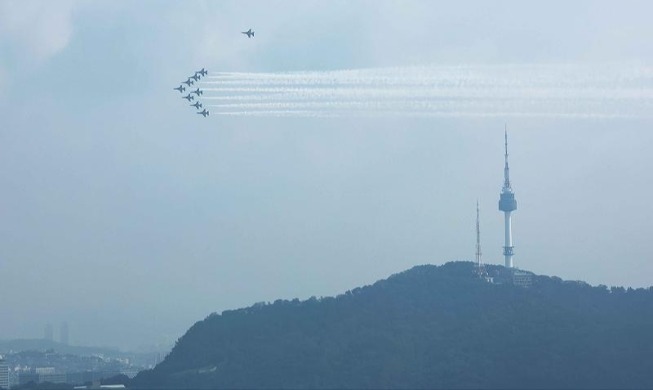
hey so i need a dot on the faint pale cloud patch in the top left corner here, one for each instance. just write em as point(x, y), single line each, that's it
point(38, 28)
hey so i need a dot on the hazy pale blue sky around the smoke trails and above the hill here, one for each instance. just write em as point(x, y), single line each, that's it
point(130, 217)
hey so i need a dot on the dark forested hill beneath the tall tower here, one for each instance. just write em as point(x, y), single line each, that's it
point(428, 327)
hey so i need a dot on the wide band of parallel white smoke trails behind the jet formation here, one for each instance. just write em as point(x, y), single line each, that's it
point(605, 91)
